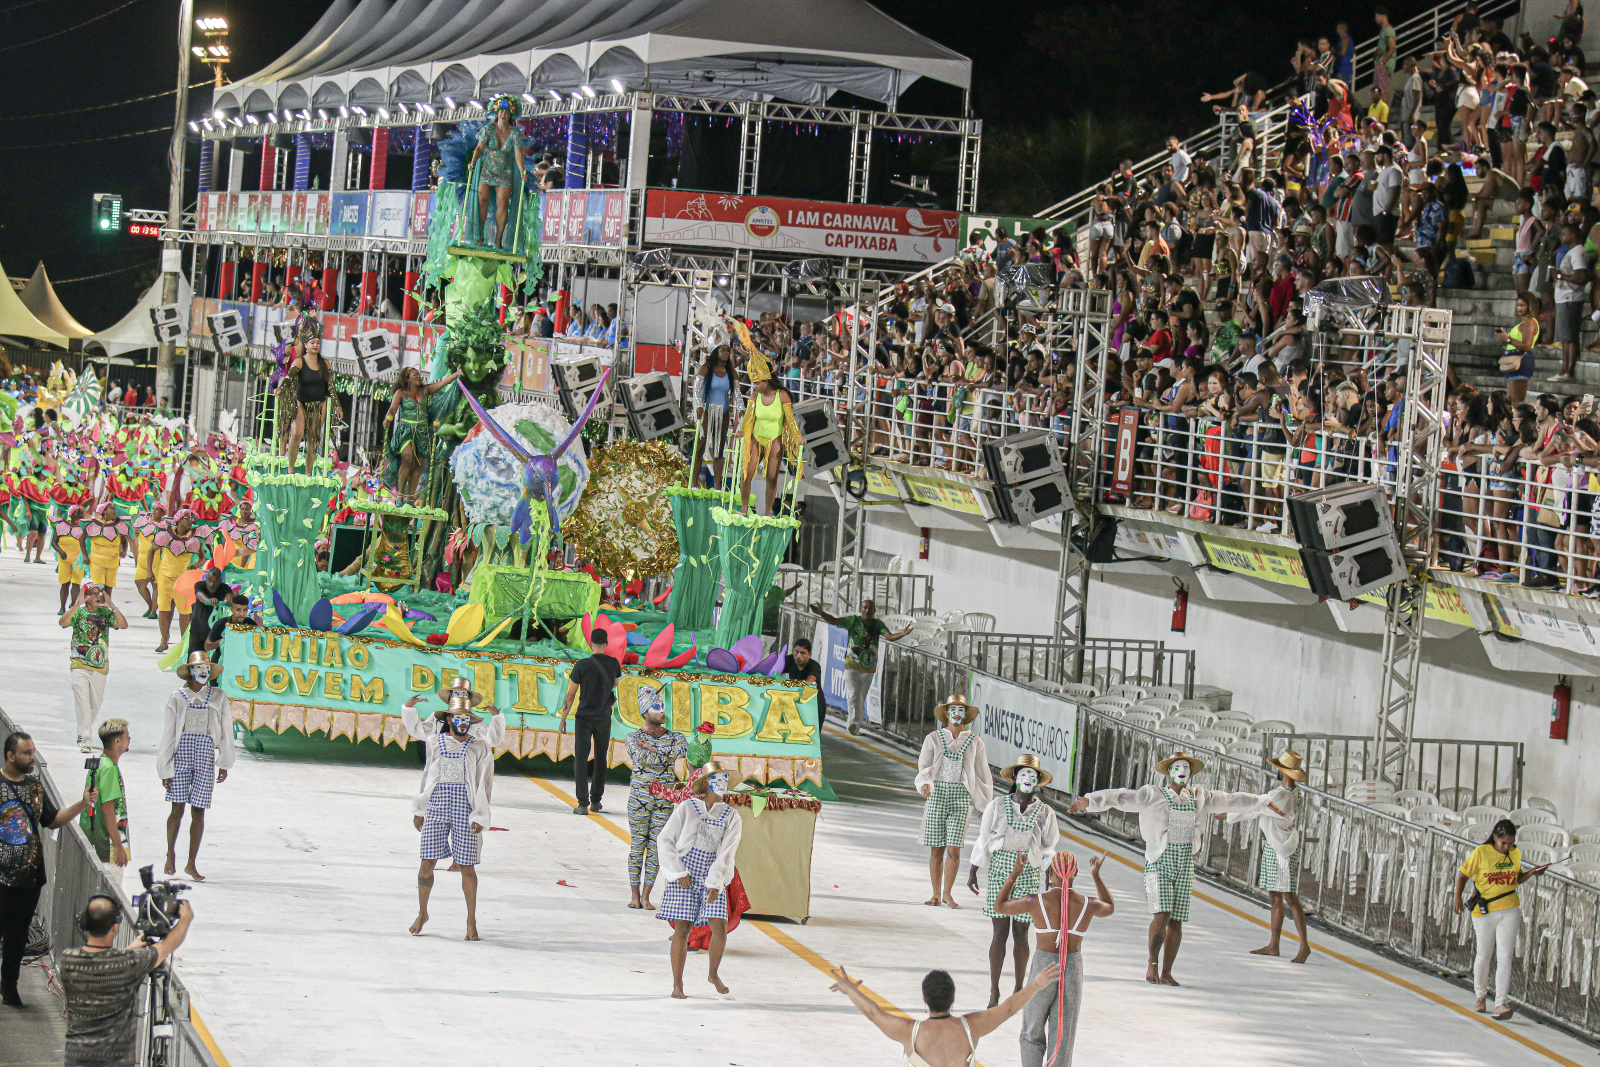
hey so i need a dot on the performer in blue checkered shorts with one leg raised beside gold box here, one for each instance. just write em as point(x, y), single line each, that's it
point(698, 849)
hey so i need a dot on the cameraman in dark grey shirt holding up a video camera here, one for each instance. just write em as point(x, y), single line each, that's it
point(102, 986)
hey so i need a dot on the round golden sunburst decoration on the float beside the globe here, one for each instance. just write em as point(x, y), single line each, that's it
point(623, 526)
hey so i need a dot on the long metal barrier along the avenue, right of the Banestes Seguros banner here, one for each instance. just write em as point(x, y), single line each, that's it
point(1372, 876)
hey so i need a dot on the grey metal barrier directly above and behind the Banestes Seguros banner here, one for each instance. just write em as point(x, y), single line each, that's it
point(1044, 661)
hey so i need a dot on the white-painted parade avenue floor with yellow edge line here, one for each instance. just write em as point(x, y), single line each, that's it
point(300, 953)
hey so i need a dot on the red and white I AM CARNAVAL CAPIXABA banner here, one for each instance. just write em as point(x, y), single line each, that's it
point(801, 226)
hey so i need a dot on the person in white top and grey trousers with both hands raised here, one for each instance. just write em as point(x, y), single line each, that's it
point(1052, 1018)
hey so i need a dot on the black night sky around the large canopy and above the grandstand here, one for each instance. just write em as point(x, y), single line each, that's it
point(1138, 63)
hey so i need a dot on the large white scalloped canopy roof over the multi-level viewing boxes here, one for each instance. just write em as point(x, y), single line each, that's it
point(378, 54)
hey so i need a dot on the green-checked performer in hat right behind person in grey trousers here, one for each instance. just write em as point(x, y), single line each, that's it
point(1014, 826)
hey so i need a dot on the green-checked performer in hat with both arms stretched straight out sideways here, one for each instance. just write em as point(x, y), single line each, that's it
point(1170, 821)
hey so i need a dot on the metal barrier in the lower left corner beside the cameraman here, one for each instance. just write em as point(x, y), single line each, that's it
point(76, 874)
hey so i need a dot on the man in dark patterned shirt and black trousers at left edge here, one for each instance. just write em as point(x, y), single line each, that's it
point(26, 813)
